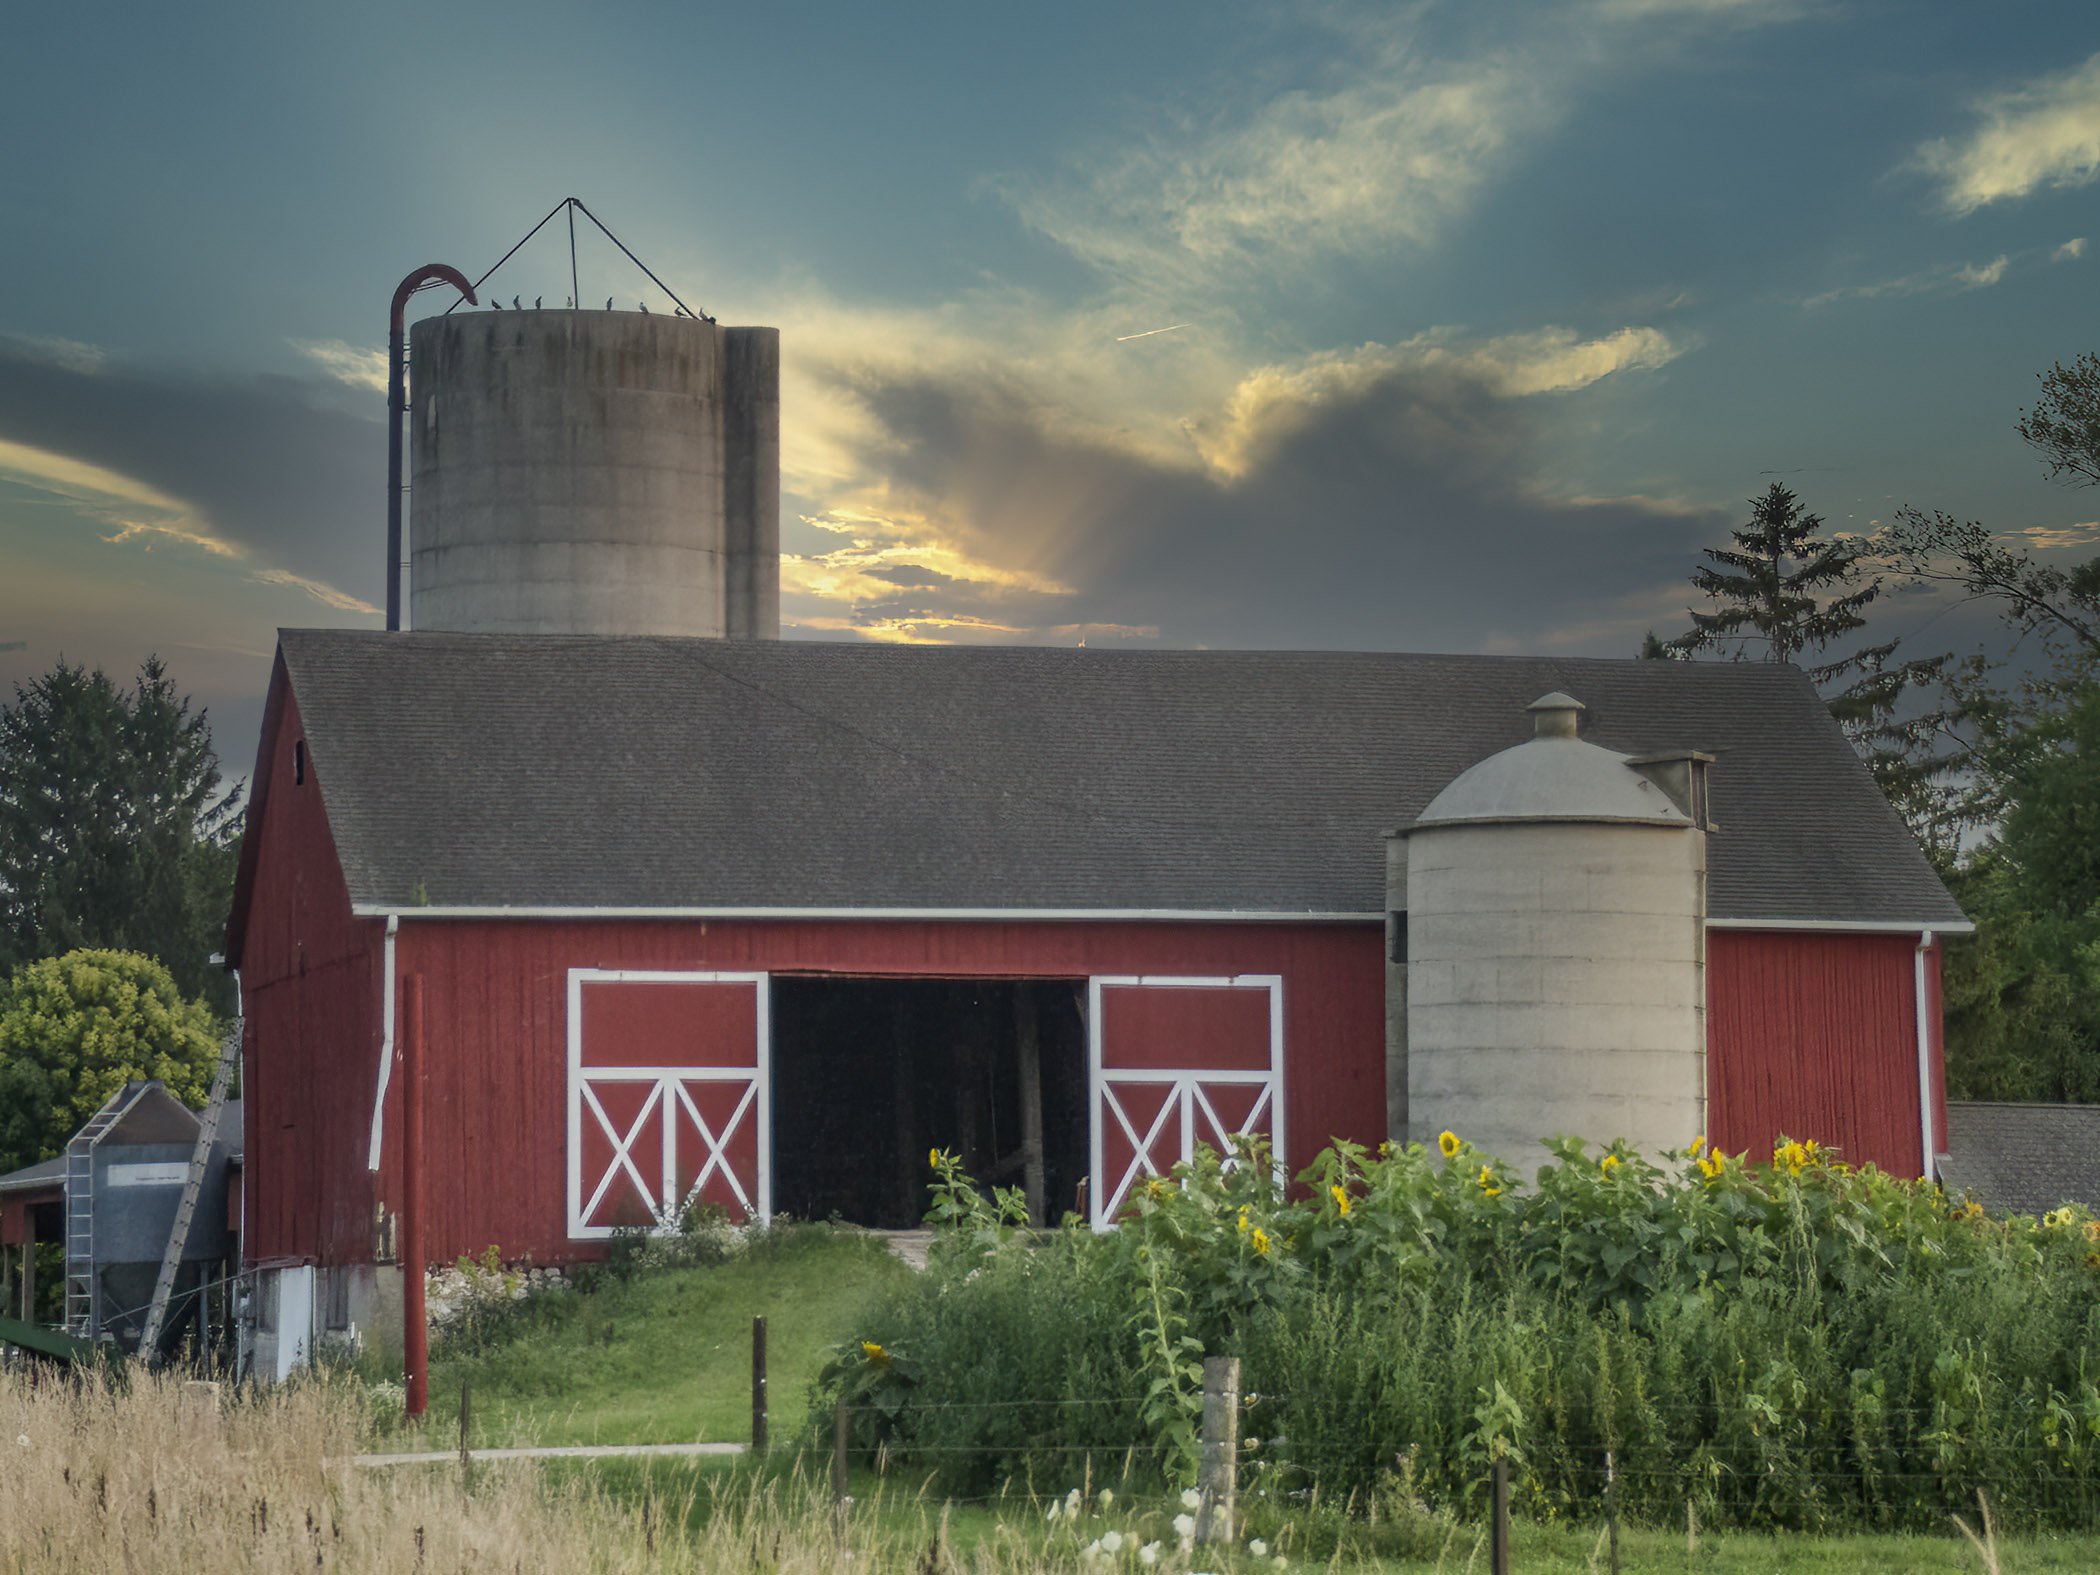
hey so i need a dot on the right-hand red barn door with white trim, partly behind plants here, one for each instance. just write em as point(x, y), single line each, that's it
point(1177, 1064)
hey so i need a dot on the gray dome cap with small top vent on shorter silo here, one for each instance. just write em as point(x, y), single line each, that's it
point(1553, 778)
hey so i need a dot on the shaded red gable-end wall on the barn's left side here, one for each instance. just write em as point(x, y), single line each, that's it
point(310, 986)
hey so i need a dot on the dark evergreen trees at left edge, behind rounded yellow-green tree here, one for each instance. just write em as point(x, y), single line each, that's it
point(114, 831)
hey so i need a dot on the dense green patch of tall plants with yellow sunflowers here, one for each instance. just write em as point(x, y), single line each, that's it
point(1782, 1345)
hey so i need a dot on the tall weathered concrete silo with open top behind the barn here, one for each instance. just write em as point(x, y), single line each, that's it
point(595, 474)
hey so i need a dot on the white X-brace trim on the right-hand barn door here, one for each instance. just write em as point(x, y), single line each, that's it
point(1185, 1104)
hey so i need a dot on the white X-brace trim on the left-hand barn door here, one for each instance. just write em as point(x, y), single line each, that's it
point(665, 1104)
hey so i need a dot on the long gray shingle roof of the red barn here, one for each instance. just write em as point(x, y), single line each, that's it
point(553, 772)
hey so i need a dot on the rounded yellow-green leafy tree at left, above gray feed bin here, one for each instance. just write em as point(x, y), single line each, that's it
point(75, 1030)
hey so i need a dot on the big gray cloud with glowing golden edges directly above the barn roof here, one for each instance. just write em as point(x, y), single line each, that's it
point(1368, 499)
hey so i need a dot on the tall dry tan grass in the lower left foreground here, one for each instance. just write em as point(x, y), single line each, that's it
point(142, 1479)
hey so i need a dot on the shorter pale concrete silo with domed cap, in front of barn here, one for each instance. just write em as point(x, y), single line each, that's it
point(1557, 948)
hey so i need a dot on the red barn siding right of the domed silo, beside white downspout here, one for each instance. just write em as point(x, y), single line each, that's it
point(1815, 1036)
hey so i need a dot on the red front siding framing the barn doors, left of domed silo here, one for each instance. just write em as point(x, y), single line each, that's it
point(497, 1009)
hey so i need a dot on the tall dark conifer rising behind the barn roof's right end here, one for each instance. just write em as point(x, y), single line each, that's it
point(1790, 593)
